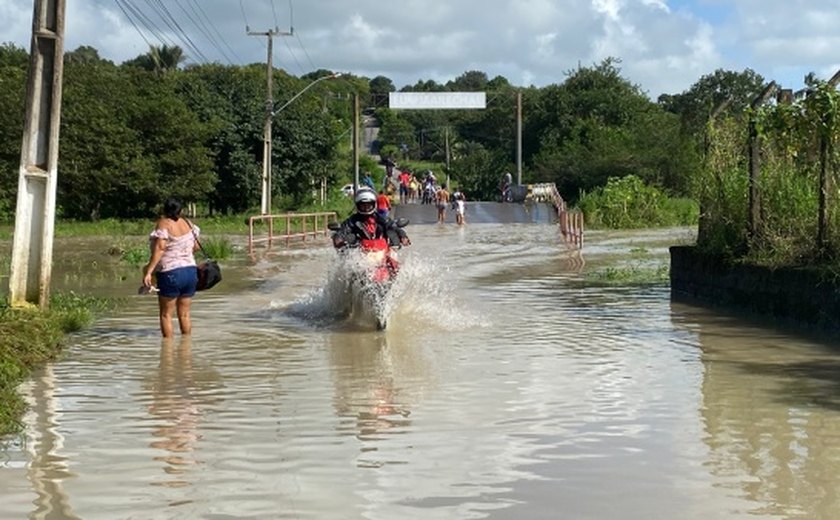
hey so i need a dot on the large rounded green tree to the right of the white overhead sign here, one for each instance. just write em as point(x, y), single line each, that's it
point(598, 125)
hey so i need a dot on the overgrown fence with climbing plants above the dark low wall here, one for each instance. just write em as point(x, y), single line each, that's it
point(774, 201)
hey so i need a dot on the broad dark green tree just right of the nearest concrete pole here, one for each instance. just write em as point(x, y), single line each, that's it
point(127, 142)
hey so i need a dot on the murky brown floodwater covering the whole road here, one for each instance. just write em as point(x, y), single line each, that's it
point(508, 385)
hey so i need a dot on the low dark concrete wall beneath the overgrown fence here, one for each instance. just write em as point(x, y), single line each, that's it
point(801, 296)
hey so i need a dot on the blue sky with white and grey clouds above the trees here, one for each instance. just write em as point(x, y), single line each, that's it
point(664, 46)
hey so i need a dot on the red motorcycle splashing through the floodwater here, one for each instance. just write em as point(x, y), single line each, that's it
point(373, 266)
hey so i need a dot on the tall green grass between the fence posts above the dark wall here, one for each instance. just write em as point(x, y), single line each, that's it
point(788, 195)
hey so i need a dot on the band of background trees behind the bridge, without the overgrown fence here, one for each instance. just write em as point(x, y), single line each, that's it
point(135, 132)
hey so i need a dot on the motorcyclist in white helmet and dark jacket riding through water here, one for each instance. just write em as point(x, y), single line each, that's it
point(365, 224)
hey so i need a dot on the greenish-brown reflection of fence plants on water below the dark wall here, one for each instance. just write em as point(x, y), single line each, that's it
point(770, 410)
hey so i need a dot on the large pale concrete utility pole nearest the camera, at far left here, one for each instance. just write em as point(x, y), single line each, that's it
point(31, 269)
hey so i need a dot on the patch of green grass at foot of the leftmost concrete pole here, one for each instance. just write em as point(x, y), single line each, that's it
point(31, 337)
